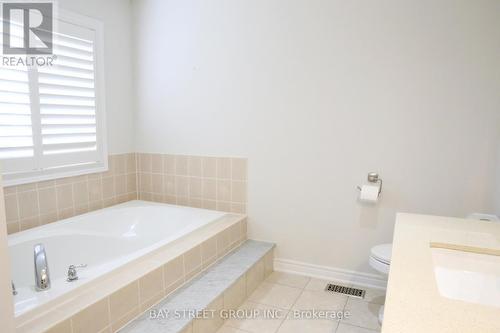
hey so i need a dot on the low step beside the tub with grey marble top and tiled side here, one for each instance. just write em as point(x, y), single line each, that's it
point(222, 287)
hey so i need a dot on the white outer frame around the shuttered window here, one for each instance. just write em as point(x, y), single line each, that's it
point(86, 22)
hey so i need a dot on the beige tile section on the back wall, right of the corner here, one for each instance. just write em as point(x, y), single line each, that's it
point(218, 183)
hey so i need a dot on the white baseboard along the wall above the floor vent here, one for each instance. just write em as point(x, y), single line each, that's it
point(330, 273)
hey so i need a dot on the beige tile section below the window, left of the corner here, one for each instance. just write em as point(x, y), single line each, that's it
point(31, 205)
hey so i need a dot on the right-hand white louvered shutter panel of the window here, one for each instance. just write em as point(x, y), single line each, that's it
point(67, 100)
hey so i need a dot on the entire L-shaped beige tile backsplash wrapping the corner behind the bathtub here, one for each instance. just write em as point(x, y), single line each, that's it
point(218, 183)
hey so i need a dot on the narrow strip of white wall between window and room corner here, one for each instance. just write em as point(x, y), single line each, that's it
point(116, 16)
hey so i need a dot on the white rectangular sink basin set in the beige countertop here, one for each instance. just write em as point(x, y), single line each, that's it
point(469, 276)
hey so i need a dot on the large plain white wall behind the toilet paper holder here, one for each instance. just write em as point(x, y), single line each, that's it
point(317, 93)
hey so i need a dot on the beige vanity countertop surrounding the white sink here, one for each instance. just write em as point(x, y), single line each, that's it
point(413, 302)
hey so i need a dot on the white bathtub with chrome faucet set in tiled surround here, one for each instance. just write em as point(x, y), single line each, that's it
point(104, 240)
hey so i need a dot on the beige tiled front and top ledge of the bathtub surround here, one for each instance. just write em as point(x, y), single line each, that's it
point(121, 295)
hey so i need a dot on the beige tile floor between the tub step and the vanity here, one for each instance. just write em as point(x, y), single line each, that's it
point(284, 295)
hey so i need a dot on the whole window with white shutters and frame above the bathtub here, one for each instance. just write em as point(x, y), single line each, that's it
point(52, 117)
